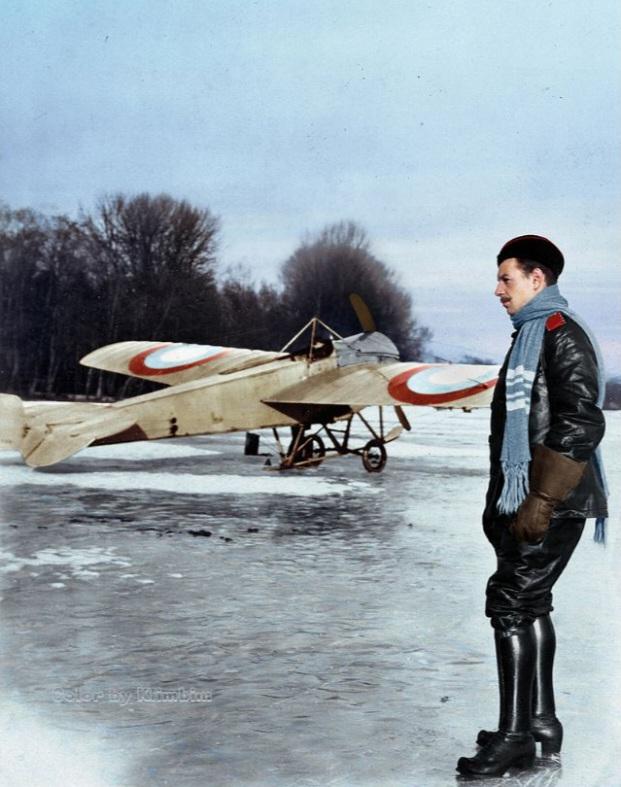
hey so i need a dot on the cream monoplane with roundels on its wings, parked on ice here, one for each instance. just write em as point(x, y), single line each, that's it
point(316, 388)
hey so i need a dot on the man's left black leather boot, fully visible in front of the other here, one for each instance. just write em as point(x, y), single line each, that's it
point(513, 745)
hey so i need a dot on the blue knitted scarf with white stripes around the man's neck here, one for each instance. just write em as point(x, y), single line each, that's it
point(515, 457)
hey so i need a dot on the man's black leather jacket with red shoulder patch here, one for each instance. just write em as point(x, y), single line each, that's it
point(564, 416)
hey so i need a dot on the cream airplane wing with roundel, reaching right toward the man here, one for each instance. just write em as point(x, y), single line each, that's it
point(436, 385)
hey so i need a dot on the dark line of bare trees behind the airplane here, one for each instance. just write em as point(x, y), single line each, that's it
point(147, 267)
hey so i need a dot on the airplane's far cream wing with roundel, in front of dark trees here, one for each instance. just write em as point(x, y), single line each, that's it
point(172, 363)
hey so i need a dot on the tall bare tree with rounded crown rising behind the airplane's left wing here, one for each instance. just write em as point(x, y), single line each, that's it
point(154, 262)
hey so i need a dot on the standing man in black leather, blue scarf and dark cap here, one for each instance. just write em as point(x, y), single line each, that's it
point(546, 478)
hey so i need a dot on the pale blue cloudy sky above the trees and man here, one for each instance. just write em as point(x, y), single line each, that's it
point(443, 128)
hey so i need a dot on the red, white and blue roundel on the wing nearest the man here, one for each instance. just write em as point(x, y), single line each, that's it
point(429, 385)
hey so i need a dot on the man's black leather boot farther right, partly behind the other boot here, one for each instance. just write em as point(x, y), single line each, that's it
point(545, 726)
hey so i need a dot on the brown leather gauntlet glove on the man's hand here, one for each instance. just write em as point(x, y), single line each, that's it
point(552, 478)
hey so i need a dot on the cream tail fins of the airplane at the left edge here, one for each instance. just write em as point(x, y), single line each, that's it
point(53, 432)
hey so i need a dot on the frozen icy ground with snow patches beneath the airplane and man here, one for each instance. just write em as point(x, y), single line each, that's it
point(329, 631)
